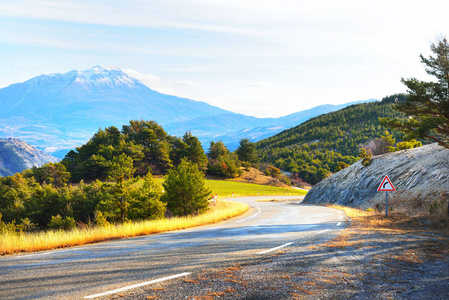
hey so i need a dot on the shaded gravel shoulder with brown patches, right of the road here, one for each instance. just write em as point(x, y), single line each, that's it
point(362, 262)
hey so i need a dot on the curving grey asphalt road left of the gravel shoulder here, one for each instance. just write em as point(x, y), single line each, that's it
point(93, 270)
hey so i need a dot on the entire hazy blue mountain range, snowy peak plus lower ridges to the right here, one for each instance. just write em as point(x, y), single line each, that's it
point(58, 112)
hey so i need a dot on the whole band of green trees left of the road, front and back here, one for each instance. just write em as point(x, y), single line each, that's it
point(110, 179)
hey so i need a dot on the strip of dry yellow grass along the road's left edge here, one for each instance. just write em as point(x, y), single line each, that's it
point(30, 242)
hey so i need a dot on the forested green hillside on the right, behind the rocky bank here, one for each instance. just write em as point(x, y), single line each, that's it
point(330, 142)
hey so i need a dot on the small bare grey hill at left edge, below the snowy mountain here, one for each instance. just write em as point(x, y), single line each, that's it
point(16, 156)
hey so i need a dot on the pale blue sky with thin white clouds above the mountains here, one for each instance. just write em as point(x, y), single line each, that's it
point(261, 58)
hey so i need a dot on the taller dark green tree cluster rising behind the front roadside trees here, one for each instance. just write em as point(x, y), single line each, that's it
point(144, 145)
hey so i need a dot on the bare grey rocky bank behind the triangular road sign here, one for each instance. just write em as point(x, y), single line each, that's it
point(420, 176)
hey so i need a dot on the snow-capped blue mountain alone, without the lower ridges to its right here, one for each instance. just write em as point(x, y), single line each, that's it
point(61, 111)
